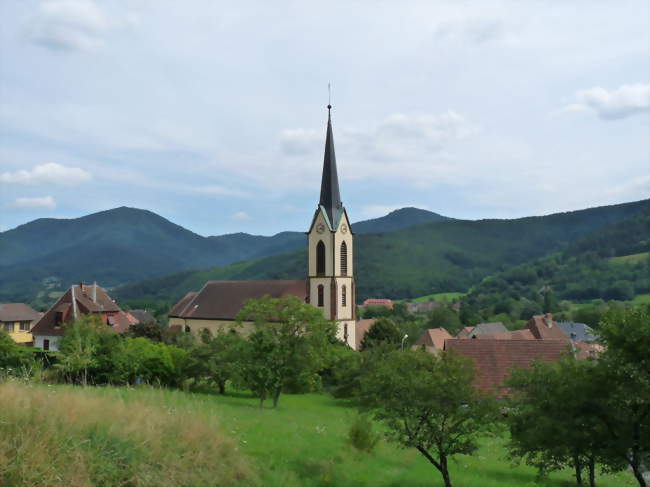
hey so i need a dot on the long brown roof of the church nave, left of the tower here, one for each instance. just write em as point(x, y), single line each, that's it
point(222, 300)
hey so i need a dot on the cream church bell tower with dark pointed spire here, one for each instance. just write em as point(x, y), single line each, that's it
point(331, 250)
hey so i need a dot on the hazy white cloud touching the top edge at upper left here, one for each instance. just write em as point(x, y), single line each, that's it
point(68, 25)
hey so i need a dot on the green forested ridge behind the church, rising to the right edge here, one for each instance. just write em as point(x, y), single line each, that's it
point(432, 257)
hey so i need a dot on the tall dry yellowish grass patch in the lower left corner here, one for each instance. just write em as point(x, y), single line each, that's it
point(64, 436)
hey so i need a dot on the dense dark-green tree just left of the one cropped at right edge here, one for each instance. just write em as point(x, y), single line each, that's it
point(552, 420)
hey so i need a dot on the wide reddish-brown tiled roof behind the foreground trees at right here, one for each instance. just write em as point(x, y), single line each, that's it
point(495, 359)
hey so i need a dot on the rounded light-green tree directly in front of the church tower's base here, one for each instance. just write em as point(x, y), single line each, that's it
point(289, 341)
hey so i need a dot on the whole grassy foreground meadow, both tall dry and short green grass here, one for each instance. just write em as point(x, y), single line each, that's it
point(302, 443)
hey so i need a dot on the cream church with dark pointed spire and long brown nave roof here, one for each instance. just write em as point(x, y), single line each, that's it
point(329, 283)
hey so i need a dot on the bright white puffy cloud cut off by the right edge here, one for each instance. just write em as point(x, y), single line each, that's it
point(622, 102)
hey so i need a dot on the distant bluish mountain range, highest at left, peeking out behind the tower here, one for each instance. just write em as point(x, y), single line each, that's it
point(128, 244)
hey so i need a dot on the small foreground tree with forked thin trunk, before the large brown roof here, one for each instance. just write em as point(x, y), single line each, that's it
point(428, 403)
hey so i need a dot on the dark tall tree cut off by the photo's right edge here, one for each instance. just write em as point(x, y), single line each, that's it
point(623, 378)
